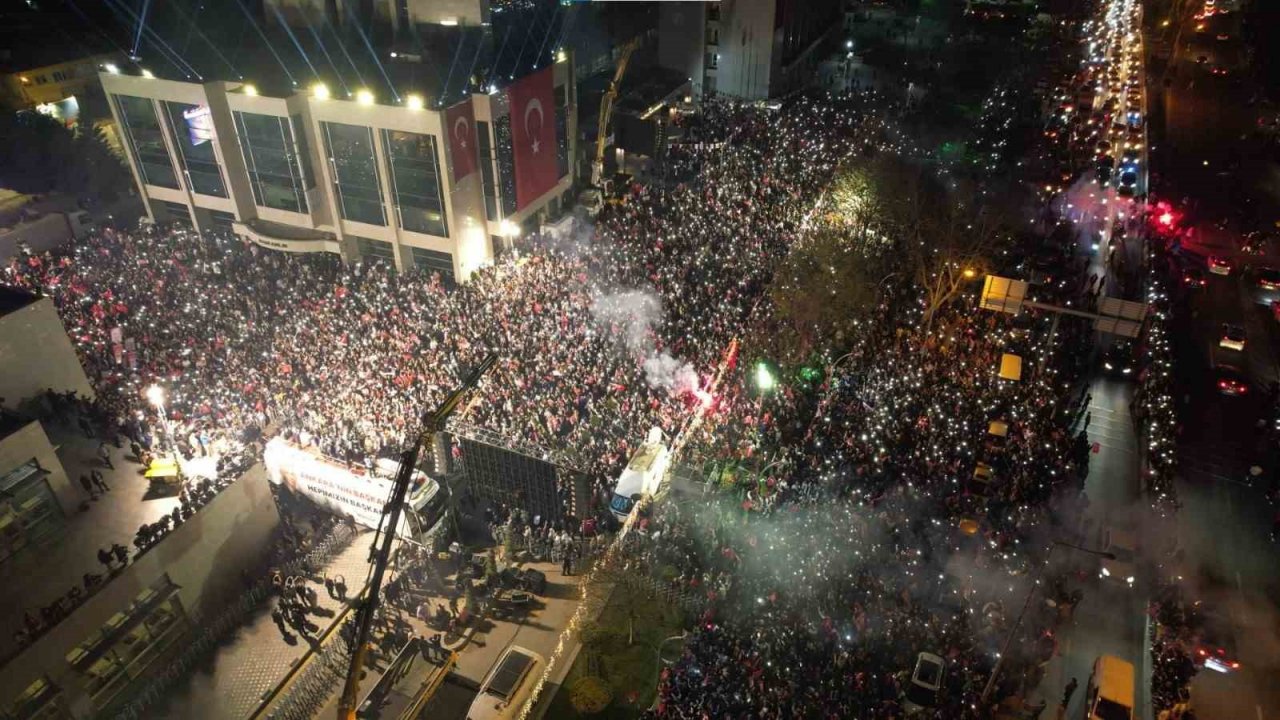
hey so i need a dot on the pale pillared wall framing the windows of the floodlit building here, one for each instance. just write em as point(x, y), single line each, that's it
point(470, 233)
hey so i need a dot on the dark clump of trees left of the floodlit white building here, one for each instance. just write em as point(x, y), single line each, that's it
point(39, 156)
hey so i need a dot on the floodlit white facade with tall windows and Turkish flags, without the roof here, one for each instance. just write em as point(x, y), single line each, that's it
point(423, 186)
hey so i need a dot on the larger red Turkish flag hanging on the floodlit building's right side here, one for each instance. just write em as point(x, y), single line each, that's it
point(533, 135)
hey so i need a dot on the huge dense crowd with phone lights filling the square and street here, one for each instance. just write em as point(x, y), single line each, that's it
point(871, 543)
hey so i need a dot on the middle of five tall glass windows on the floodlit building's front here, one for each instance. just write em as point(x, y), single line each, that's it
point(273, 161)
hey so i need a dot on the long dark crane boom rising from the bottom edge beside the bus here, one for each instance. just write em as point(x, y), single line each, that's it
point(433, 423)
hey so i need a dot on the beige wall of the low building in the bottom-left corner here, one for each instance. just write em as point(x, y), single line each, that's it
point(204, 558)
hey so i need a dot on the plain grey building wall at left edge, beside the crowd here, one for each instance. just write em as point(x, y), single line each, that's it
point(36, 356)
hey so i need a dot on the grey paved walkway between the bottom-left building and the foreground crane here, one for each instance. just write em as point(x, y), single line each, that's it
point(244, 673)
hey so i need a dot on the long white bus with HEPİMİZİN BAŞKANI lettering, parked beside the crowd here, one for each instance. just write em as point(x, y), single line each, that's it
point(351, 493)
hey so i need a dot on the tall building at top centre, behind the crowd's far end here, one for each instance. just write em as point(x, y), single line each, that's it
point(748, 49)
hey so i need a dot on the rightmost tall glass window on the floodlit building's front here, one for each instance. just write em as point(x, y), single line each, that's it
point(417, 181)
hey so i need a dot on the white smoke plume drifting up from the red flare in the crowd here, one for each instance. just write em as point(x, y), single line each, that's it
point(639, 316)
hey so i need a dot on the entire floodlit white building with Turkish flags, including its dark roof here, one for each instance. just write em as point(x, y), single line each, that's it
point(429, 143)
